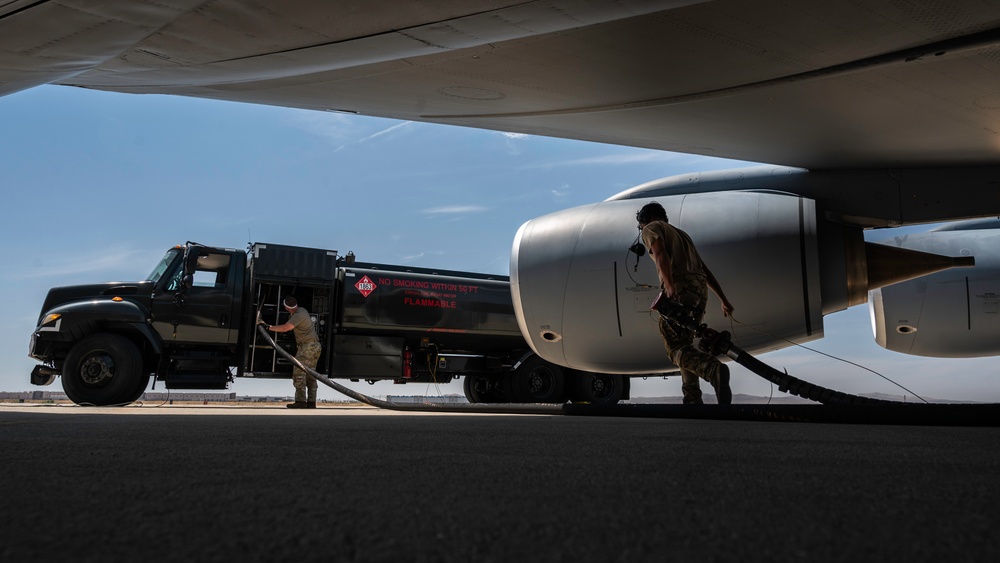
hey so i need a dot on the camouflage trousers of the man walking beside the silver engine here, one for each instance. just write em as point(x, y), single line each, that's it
point(692, 291)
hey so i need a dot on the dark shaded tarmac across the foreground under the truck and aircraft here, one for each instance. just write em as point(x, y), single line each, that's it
point(359, 484)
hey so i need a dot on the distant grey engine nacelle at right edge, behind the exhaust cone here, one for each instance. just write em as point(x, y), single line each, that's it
point(951, 314)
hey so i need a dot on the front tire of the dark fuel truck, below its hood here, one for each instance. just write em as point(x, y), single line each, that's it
point(103, 369)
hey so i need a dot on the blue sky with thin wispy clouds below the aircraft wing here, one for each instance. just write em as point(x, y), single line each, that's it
point(97, 186)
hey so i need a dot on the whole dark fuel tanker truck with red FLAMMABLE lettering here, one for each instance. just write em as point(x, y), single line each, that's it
point(191, 325)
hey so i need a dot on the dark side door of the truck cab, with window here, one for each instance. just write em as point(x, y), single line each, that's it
point(206, 313)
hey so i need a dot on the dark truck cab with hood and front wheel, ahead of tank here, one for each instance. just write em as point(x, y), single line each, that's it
point(182, 323)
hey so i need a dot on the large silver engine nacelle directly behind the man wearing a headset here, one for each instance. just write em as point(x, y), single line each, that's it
point(582, 299)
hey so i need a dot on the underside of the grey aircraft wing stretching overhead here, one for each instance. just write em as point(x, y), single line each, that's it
point(820, 85)
